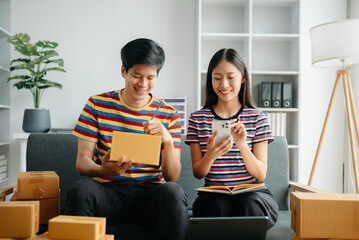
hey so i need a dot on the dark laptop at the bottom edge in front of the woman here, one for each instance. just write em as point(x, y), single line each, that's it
point(211, 228)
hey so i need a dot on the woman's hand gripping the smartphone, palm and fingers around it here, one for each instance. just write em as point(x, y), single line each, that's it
point(214, 150)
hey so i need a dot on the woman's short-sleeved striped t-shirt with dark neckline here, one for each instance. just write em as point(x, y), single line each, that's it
point(229, 169)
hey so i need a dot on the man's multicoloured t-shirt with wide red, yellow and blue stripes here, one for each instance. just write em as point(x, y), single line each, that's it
point(107, 112)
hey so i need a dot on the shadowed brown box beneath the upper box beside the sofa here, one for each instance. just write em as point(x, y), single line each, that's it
point(49, 207)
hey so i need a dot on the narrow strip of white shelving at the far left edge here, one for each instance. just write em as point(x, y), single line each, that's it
point(4, 89)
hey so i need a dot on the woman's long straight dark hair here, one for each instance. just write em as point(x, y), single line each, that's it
point(232, 56)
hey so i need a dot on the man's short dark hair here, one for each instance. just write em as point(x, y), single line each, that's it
point(142, 51)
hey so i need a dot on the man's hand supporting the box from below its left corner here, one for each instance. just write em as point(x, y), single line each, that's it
point(112, 168)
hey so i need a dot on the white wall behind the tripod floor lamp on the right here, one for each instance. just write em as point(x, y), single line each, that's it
point(316, 89)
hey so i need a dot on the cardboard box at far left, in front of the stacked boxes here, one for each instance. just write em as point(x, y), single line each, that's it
point(19, 219)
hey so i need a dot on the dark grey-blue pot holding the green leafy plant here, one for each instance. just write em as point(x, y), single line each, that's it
point(36, 120)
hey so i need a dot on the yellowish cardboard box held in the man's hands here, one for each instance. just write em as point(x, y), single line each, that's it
point(142, 148)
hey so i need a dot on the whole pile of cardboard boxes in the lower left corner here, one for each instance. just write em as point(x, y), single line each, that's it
point(35, 202)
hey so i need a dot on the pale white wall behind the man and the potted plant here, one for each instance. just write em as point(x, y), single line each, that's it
point(90, 34)
